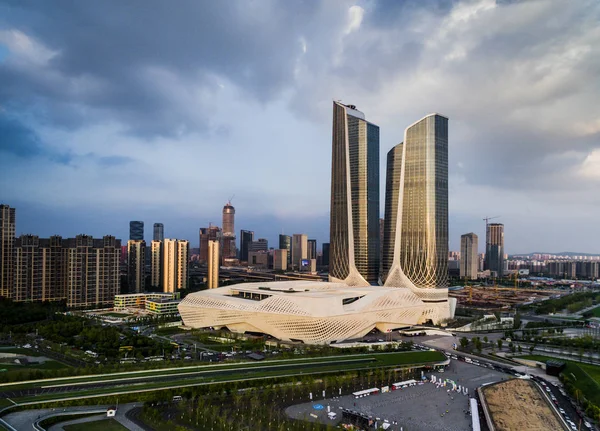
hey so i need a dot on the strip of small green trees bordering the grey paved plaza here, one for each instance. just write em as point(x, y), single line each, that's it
point(262, 408)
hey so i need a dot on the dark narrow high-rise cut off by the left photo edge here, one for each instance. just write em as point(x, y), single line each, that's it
point(7, 245)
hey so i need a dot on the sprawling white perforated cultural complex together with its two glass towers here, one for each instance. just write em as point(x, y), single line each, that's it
point(415, 247)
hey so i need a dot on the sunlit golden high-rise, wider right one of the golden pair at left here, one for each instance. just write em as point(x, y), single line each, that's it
point(175, 257)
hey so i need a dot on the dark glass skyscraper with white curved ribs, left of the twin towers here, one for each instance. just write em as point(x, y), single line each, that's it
point(354, 198)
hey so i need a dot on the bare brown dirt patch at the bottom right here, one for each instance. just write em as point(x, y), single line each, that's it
point(518, 405)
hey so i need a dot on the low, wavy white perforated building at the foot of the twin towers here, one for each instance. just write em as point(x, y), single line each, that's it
point(311, 312)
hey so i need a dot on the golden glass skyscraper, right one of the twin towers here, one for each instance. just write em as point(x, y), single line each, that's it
point(416, 216)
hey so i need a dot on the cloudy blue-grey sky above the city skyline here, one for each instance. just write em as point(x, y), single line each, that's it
point(114, 111)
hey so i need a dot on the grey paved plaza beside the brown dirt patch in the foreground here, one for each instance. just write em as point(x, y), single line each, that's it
point(420, 408)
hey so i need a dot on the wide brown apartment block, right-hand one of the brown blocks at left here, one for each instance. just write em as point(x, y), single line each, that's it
point(92, 270)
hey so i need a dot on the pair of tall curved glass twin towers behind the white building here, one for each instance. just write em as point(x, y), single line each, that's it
point(415, 231)
